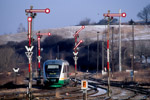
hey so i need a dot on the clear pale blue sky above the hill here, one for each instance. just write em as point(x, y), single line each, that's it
point(63, 13)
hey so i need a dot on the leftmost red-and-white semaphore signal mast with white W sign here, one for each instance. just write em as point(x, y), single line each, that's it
point(29, 48)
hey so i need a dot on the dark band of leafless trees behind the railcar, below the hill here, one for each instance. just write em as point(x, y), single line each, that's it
point(56, 47)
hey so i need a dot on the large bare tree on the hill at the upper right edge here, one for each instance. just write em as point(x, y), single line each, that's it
point(145, 14)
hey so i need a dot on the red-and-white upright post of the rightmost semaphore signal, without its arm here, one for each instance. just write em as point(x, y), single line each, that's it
point(108, 56)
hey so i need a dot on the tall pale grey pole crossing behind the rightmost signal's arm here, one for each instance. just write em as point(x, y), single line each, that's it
point(120, 67)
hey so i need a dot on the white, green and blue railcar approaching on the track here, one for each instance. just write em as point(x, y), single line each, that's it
point(55, 73)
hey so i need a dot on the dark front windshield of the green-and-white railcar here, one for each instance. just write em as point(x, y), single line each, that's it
point(53, 70)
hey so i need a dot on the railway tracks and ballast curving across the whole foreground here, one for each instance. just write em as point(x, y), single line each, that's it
point(119, 90)
